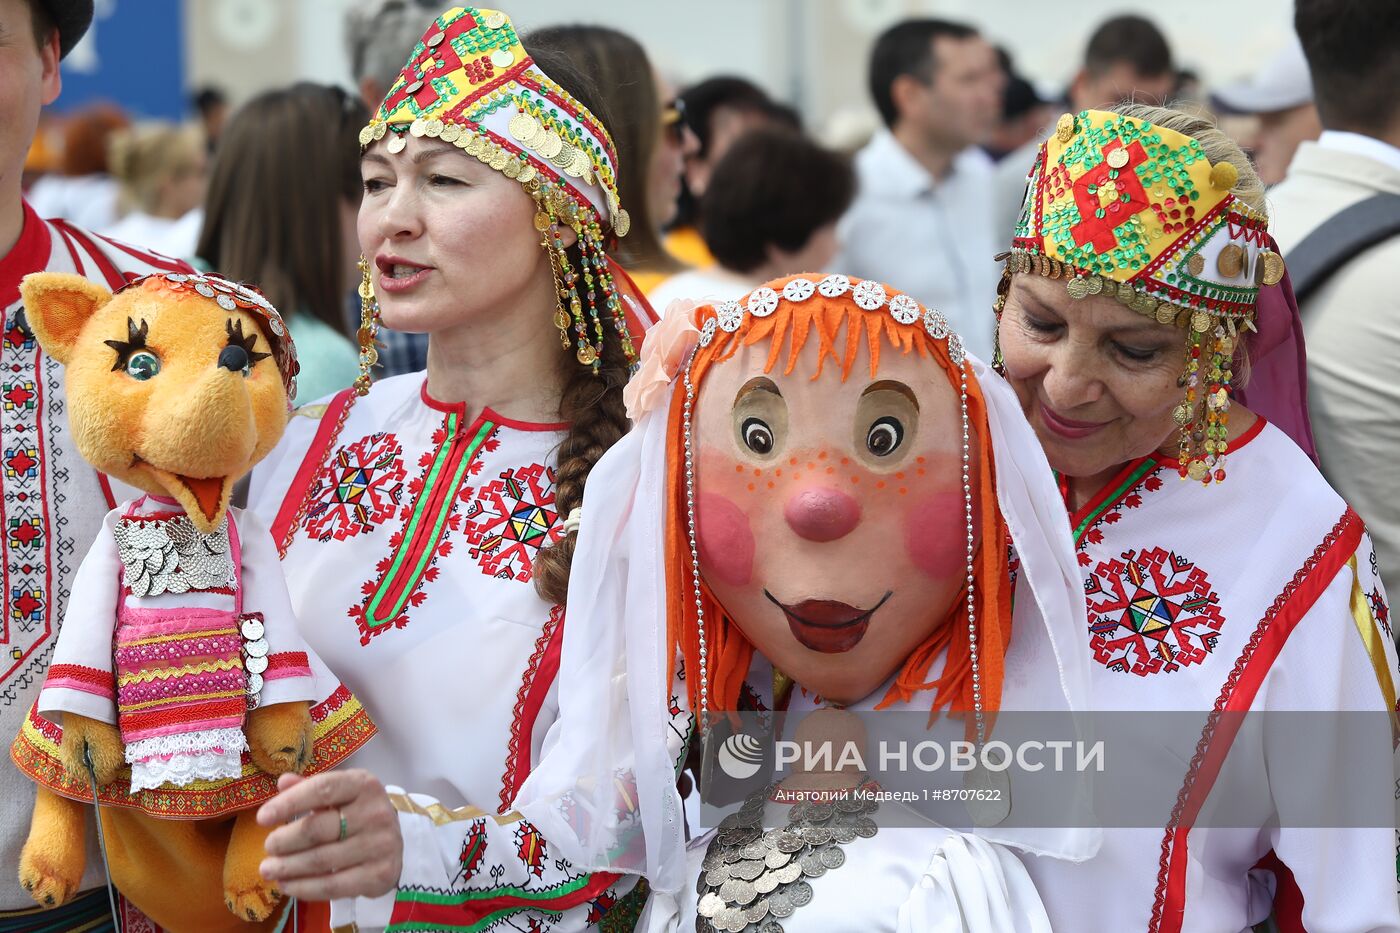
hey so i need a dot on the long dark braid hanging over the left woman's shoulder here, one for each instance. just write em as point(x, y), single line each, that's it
point(598, 418)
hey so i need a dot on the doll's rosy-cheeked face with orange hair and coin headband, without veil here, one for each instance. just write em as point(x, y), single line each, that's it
point(834, 490)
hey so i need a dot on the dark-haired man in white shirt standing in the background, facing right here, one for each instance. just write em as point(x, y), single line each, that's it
point(923, 214)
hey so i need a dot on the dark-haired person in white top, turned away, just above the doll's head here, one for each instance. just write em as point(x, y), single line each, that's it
point(771, 212)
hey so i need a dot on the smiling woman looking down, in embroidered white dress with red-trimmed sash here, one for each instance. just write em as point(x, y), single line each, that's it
point(1210, 588)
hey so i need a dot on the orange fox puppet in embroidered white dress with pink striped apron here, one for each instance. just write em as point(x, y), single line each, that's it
point(180, 689)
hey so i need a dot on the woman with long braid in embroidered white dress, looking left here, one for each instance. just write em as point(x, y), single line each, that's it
point(415, 515)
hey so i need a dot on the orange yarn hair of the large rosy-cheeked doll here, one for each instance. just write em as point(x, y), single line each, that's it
point(841, 327)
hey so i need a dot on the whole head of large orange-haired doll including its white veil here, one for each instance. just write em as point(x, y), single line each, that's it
point(811, 476)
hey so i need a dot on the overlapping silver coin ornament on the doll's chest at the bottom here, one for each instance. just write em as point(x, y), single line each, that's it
point(752, 880)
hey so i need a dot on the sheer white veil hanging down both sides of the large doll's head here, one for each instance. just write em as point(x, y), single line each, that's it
point(605, 788)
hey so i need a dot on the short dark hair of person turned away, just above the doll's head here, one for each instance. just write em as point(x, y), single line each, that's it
point(773, 188)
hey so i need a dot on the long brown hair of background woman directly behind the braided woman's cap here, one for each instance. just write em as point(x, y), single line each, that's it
point(619, 65)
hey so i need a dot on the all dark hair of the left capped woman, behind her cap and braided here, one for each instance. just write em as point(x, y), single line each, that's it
point(590, 403)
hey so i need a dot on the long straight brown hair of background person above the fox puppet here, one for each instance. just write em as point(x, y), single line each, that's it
point(286, 163)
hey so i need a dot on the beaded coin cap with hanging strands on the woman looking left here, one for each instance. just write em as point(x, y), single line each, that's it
point(471, 83)
